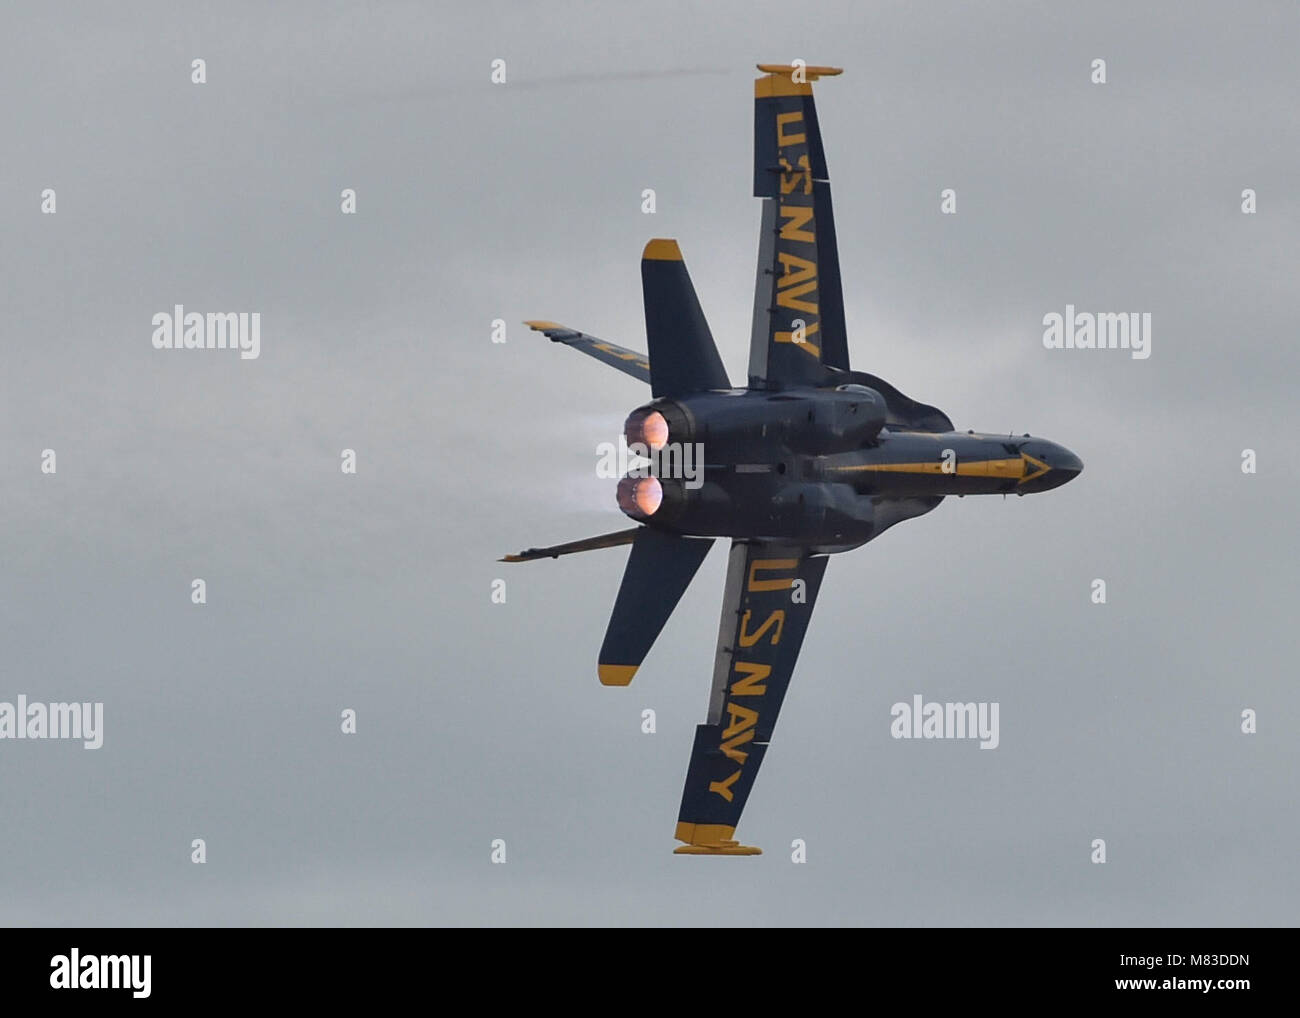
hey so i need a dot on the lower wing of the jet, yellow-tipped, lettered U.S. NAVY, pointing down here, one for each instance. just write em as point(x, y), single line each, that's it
point(766, 609)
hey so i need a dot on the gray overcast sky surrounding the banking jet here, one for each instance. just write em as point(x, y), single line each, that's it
point(479, 721)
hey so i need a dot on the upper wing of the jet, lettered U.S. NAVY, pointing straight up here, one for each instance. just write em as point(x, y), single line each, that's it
point(799, 304)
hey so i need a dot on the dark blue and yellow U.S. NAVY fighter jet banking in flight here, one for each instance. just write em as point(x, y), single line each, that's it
point(809, 460)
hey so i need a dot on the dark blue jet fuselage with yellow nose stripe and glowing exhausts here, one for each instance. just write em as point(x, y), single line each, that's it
point(830, 467)
